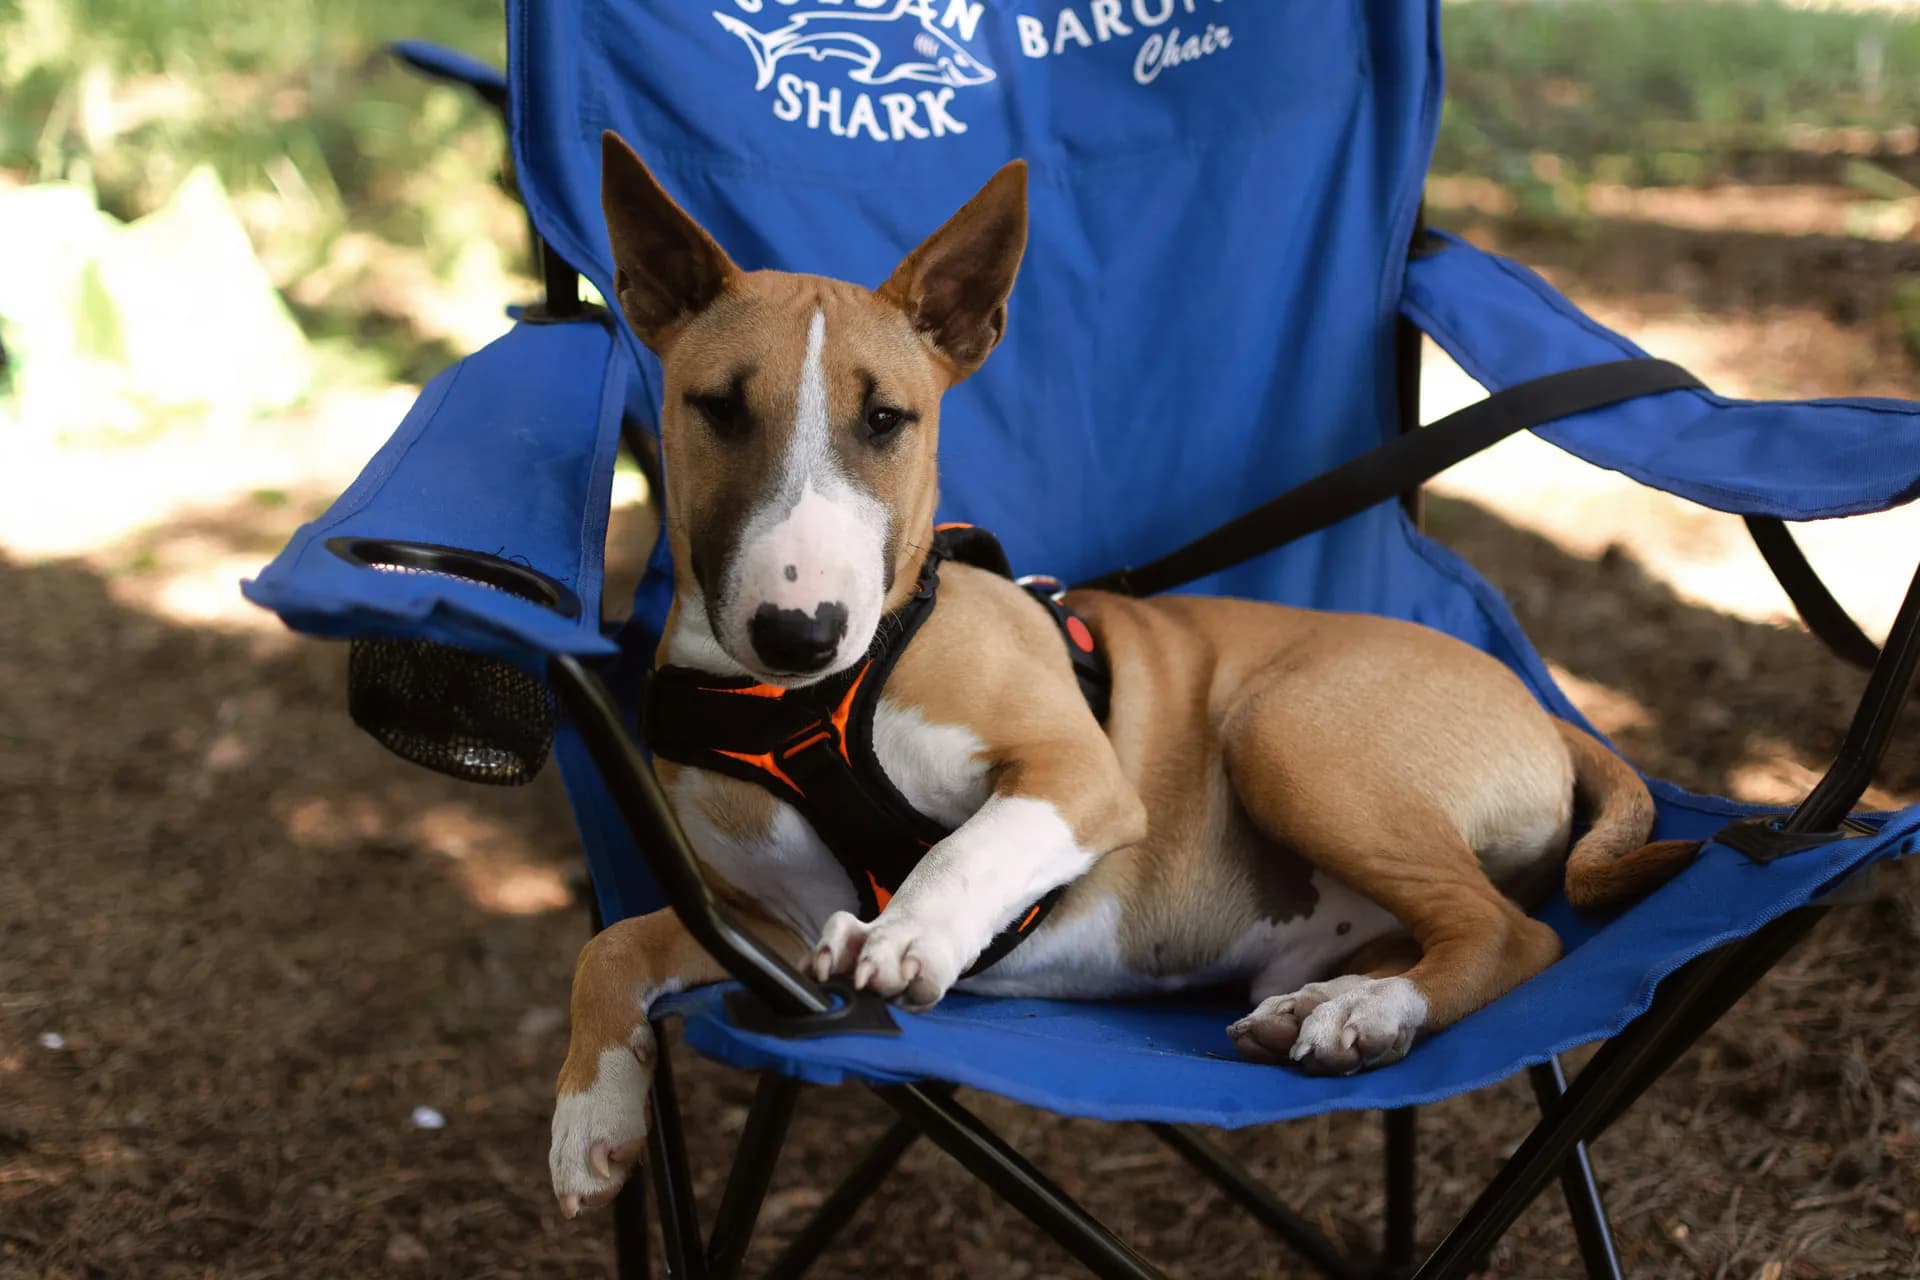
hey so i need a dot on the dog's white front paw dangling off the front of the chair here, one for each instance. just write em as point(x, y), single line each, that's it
point(600, 1131)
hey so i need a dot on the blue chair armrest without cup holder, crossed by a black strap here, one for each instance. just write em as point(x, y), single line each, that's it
point(1785, 460)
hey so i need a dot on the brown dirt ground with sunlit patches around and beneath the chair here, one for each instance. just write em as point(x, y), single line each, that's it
point(243, 947)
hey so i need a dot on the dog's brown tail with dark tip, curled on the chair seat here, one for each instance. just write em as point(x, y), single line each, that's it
point(1614, 865)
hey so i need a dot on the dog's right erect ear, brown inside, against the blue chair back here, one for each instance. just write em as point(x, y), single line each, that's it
point(955, 285)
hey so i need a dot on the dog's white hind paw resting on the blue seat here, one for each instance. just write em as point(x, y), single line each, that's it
point(1337, 1028)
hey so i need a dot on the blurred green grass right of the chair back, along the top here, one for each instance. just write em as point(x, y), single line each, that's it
point(1658, 93)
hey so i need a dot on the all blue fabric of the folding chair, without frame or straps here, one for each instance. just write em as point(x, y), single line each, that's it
point(1205, 320)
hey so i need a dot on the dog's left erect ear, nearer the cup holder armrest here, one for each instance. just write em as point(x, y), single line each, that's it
point(665, 268)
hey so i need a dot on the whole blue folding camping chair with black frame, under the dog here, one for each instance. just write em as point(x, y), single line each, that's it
point(1222, 304)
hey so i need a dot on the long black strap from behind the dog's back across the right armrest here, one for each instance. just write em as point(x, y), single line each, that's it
point(1397, 467)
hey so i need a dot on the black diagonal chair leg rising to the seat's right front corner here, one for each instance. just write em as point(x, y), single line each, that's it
point(1610, 1083)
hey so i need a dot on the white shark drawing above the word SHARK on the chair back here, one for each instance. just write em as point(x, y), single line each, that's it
point(884, 47)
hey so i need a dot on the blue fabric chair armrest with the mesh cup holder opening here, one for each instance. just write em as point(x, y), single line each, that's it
point(506, 458)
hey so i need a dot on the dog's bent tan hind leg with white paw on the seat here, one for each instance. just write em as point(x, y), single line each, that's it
point(1399, 849)
